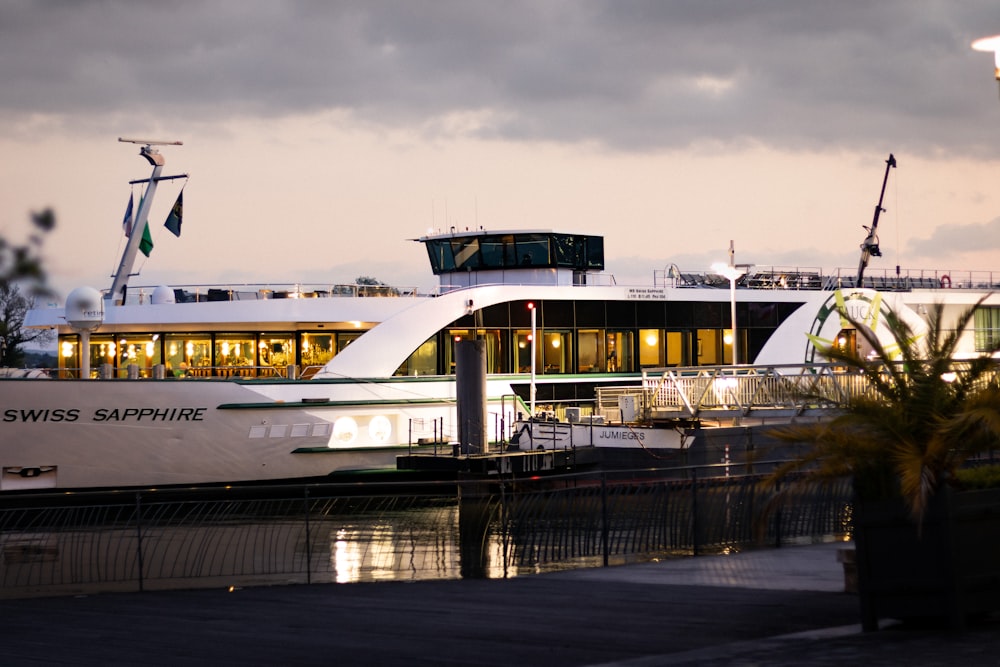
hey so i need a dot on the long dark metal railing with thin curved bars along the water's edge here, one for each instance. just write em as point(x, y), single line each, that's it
point(346, 533)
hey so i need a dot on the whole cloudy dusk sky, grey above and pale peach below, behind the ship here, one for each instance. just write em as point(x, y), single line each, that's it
point(320, 136)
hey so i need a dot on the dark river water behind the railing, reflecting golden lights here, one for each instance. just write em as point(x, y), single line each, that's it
point(342, 540)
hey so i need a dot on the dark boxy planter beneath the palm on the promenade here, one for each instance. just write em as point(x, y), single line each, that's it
point(947, 570)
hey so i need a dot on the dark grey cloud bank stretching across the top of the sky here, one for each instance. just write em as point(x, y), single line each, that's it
point(626, 75)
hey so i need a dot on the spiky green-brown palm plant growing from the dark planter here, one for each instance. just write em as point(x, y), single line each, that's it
point(924, 416)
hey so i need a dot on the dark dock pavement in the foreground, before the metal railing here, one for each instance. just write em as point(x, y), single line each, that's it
point(771, 607)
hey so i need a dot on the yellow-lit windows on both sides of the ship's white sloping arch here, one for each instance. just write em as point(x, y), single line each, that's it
point(507, 351)
